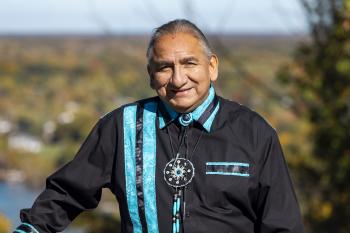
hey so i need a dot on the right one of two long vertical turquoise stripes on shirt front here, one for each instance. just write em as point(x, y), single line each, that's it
point(149, 165)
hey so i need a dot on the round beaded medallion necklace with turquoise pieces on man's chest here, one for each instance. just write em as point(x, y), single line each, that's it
point(179, 171)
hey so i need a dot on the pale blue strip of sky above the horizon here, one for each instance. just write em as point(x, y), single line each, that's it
point(139, 16)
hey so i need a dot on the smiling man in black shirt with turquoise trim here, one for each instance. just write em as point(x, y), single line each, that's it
point(184, 161)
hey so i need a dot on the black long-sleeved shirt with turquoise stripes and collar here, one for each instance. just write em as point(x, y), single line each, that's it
point(241, 182)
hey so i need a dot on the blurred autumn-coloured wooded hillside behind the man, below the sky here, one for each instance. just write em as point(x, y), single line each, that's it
point(54, 88)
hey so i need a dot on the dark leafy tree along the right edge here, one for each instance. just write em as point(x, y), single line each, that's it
point(319, 81)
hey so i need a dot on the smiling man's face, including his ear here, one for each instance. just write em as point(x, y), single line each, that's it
point(181, 72)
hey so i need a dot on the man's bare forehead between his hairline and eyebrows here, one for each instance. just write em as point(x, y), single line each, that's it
point(181, 43)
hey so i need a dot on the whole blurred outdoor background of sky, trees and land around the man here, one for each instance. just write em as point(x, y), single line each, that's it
point(63, 64)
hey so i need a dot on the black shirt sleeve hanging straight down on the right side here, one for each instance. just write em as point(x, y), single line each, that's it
point(278, 208)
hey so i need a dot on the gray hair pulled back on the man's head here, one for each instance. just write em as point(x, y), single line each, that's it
point(175, 26)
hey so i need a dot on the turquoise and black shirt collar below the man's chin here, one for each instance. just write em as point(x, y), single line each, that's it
point(204, 114)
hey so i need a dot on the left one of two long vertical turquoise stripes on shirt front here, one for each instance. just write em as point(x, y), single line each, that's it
point(129, 125)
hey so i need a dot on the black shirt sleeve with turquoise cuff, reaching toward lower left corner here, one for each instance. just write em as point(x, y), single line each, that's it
point(75, 187)
